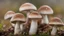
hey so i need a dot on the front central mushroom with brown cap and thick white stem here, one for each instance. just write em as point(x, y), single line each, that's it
point(34, 16)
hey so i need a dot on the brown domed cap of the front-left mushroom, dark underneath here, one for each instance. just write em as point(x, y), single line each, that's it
point(18, 17)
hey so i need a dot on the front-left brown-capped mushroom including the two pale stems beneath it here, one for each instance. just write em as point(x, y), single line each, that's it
point(18, 19)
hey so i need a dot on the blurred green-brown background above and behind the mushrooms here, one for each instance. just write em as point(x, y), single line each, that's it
point(6, 5)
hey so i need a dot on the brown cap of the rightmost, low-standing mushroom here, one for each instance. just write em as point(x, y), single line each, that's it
point(56, 22)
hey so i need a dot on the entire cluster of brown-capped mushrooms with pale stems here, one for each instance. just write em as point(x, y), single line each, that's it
point(33, 18)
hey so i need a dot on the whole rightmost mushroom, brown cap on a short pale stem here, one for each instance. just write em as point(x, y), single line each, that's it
point(55, 22)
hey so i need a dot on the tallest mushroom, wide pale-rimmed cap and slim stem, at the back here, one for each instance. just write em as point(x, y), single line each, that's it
point(27, 8)
